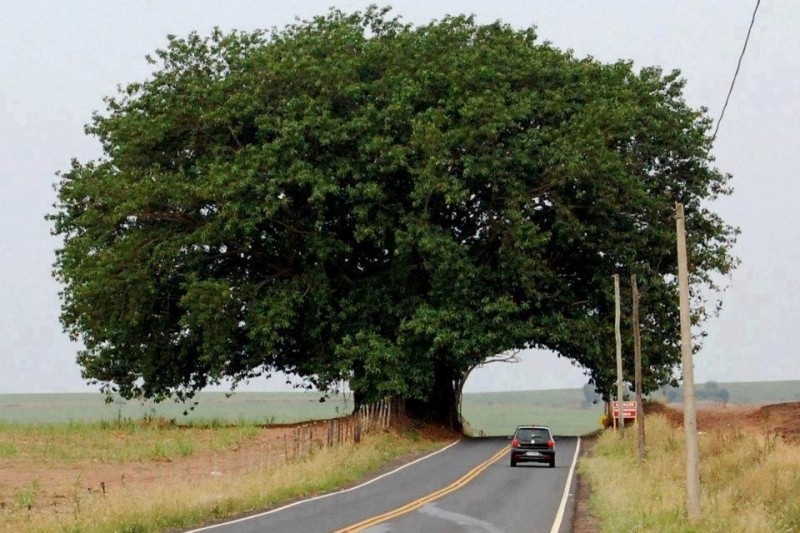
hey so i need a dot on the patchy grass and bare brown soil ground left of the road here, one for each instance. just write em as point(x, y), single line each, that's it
point(66, 496)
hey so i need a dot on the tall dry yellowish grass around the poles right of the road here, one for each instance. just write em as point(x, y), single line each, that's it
point(750, 481)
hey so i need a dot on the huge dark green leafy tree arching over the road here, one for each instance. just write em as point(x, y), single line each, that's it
point(356, 198)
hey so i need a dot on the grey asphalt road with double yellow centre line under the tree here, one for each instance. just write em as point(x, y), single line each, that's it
point(467, 487)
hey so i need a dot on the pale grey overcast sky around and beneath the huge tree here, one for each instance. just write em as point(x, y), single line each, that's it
point(59, 59)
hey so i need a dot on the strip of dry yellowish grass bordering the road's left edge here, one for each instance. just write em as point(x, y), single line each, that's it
point(181, 505)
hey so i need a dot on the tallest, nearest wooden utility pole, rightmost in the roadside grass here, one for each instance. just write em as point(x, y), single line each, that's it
point(689, 409)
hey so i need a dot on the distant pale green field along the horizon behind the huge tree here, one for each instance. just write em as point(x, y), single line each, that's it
point(489, 413)
